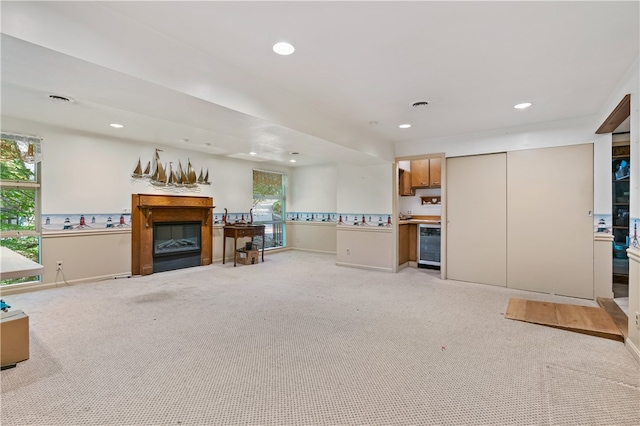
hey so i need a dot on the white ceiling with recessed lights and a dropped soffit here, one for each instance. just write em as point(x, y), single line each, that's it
point(205, 71)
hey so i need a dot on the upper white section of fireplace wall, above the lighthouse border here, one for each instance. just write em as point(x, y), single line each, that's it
point(86, 174)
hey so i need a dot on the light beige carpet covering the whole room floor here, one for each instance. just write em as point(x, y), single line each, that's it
point(299, 341)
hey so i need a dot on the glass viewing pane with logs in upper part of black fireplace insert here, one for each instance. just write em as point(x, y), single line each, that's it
point(176, 238)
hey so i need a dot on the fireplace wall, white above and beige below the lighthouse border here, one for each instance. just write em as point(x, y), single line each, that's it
point(84, 174)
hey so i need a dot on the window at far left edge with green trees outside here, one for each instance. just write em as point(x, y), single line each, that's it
point(20, 198)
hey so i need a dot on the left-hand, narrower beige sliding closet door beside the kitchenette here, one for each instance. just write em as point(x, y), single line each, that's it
point(476, 219)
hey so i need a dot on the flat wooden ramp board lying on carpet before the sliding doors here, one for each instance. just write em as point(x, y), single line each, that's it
point(581, 319)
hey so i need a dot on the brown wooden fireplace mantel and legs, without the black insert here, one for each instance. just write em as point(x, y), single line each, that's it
point(147, 209)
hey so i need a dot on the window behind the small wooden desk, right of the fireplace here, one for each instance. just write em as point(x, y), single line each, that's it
point(269, 206)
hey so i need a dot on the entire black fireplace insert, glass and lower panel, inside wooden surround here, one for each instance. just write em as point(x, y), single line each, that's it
point(176, 245)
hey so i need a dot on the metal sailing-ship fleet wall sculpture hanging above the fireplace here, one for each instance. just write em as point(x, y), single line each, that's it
point(168, 178)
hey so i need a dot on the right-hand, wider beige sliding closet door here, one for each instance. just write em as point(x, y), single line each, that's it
point(549, 222)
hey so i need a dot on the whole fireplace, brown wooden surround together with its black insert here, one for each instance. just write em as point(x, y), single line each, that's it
point(162, 213)
